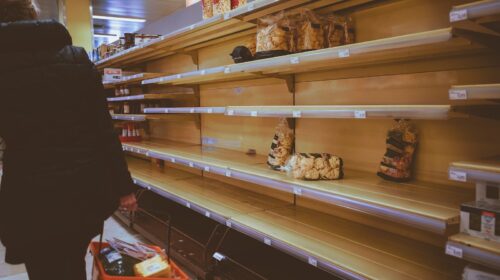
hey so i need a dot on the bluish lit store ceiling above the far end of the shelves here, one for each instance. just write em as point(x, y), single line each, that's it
point(150, 10)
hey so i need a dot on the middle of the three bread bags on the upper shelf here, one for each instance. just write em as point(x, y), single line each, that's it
point(309, 31)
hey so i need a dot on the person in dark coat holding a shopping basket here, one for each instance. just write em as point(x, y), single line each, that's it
point(64, 171)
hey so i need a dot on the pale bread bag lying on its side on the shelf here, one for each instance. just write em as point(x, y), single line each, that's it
point(315, 167)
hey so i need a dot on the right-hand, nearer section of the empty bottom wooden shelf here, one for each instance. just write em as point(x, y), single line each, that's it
point(344, 248)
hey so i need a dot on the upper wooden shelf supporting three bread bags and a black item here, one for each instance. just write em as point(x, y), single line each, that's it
point(421, 45)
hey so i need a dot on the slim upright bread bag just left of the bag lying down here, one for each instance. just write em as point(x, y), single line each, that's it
point(282, 146)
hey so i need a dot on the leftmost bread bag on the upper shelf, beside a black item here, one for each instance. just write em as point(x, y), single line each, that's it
point(273, 36)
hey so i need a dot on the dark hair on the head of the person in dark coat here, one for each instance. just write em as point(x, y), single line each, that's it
point(17, 10)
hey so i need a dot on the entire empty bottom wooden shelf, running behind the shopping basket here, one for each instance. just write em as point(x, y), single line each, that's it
point(339, 246)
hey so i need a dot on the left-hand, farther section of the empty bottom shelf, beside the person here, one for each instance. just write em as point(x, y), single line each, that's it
point(209, 197)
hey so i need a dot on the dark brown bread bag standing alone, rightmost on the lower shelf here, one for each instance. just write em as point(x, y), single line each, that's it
point(401, 142)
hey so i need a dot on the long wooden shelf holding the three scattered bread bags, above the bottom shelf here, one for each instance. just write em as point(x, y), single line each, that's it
point(429, 207)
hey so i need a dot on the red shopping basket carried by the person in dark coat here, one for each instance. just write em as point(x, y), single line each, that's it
point(98, 272)
